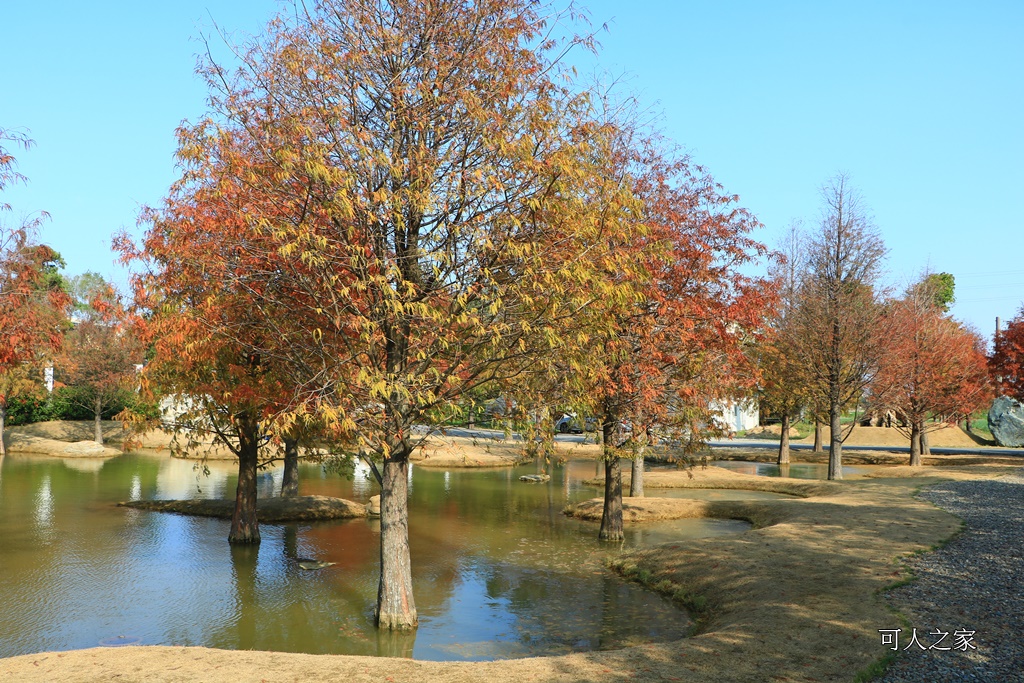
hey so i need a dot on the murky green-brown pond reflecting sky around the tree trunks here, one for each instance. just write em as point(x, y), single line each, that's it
point(499, 571)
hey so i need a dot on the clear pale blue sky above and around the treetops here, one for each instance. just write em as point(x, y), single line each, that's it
point(922, 103)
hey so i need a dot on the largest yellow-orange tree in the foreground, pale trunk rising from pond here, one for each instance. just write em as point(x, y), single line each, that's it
point(411, 180)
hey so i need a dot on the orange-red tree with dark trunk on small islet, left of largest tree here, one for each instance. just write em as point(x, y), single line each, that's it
point(216, 334)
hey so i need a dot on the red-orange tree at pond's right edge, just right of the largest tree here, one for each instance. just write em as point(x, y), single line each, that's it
point(671, 341)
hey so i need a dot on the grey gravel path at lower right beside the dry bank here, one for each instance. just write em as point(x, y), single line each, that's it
point(974, 584)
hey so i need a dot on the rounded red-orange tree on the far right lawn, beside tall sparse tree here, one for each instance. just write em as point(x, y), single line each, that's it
point(932, 367)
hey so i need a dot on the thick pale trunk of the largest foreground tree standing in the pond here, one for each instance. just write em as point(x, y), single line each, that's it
point(396, 608)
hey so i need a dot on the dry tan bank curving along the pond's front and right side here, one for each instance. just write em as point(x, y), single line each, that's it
point(798, 599)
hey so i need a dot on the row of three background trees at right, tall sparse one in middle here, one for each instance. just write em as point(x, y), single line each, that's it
point(840, 345)
